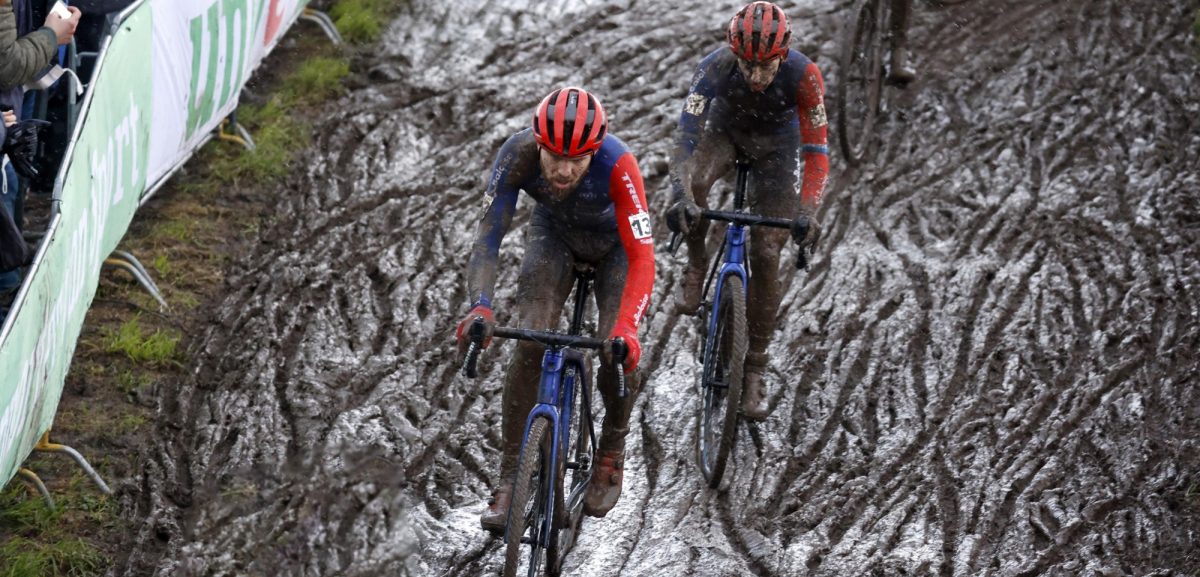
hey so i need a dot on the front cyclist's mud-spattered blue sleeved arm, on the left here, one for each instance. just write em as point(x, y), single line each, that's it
point(500, 205)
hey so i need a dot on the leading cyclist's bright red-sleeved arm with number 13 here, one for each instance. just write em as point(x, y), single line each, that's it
point(634, 227)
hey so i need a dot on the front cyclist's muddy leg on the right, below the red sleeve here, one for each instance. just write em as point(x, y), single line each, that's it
point(608, 476)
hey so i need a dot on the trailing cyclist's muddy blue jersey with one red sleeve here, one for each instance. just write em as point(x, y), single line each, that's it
point(721, 100)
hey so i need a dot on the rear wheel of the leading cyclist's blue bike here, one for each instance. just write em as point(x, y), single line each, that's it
point(573, 480)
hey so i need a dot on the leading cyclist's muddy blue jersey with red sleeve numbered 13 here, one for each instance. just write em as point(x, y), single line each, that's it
point(609, 201)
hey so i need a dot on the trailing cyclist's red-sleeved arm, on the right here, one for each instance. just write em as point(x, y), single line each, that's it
point(814, 139)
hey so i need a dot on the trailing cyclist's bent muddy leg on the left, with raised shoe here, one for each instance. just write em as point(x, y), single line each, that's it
point(713, 159)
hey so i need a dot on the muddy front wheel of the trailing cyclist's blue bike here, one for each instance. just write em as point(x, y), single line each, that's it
point(724, 357)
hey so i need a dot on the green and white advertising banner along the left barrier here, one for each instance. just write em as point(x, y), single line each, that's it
point(166, 80)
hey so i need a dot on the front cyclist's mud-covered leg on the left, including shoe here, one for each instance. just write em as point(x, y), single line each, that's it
point(544, 284)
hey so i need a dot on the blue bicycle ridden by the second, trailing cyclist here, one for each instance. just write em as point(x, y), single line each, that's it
point(724, 318)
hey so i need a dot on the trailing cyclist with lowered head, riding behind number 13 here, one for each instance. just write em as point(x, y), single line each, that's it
point(765, 101)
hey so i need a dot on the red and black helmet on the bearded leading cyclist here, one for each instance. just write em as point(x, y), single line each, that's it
point(571, 123)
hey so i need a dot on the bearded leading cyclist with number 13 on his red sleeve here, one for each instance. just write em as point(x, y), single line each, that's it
point(591, 208)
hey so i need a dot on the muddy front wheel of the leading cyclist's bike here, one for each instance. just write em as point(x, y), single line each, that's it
point(530, 508)
